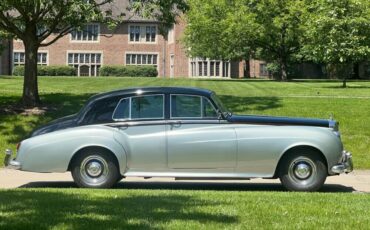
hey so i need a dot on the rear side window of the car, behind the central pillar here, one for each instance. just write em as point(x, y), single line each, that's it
point(141, 107)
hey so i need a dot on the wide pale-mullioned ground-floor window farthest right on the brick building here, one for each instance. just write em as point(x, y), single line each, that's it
point(209, 68)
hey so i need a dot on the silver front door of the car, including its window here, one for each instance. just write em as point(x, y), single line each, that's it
point(196, 138)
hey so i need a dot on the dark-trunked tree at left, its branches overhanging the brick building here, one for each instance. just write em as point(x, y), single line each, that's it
point(32, 21)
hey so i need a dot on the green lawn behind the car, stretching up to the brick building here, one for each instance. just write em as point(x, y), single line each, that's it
point(66, 95)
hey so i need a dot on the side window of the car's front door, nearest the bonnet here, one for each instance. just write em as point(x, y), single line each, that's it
point(186, 106)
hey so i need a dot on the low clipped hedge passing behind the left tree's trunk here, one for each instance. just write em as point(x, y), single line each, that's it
point(48, 71)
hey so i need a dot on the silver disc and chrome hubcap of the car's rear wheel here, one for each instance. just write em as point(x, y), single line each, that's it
point(94, 170)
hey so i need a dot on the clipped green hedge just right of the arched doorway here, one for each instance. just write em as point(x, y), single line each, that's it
point(129, 71)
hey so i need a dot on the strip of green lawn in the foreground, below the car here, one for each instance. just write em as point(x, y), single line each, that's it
point(126, 208)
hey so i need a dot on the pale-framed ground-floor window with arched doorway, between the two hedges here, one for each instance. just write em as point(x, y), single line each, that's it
point(86, 64)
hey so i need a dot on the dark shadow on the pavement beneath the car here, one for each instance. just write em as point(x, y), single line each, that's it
point(201, 186)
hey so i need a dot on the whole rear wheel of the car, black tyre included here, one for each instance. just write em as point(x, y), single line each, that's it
point(95, 169)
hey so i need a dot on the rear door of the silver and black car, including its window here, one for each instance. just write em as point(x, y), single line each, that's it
point(140, 120)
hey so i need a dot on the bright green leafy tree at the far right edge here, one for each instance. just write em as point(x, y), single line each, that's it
point(337, 33)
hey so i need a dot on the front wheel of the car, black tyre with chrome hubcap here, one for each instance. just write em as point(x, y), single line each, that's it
point(303, 171)
